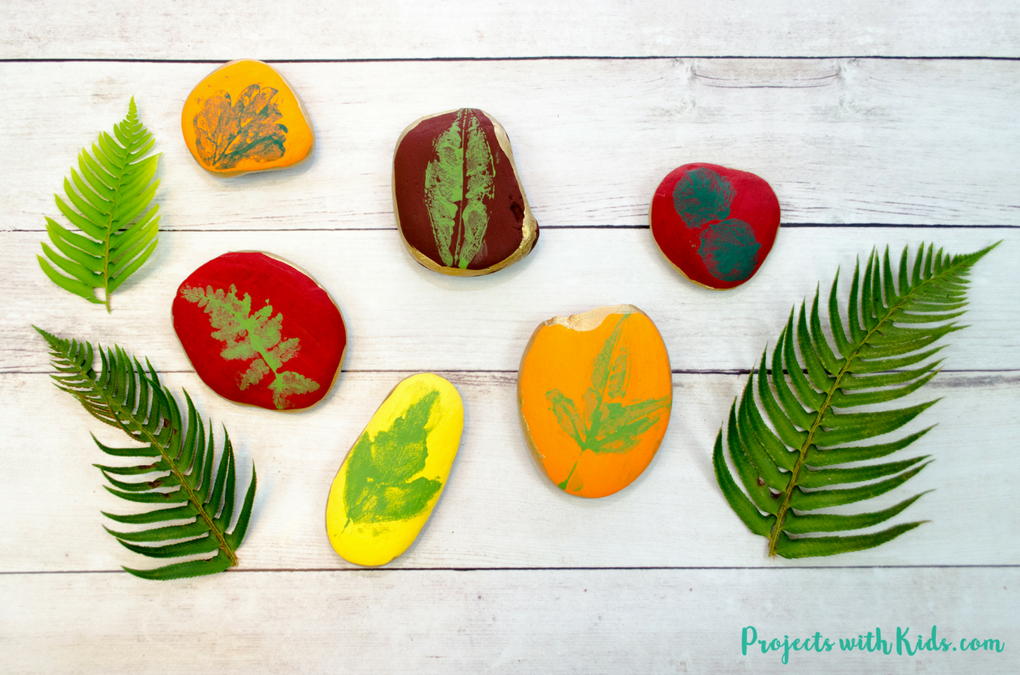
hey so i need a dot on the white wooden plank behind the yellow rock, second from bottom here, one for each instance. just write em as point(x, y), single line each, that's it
point(499, 509)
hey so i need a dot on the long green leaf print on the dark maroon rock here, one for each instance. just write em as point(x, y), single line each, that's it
point(457, 183)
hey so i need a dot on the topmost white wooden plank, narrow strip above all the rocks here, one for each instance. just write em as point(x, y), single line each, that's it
point(322, 30)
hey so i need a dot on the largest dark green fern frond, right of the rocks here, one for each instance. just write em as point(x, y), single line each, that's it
point(809, 438)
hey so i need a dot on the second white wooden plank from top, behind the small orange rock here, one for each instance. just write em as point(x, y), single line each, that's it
point(902, 142)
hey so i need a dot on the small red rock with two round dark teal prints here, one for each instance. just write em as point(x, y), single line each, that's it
point(716, 225)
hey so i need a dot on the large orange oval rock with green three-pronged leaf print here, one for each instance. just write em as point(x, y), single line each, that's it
point(595, 393)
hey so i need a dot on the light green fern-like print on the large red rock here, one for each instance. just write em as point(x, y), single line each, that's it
point(257, 337)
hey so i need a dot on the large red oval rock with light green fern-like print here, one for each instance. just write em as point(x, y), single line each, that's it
point(261, 332)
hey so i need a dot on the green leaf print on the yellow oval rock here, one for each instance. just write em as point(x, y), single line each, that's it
point(381, 477)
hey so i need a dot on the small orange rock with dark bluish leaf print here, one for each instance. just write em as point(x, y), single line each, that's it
point(245, 118)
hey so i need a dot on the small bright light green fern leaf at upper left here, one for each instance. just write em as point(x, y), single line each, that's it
point(110, 202)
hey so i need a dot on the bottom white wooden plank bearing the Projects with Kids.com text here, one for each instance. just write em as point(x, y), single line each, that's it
point(579, 621)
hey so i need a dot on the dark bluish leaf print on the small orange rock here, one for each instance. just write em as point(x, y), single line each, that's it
point(248, 129)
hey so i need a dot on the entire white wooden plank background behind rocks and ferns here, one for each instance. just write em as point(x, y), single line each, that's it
point(878, 124)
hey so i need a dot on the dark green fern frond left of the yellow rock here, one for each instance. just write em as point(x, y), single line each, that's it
point(177, 464)
